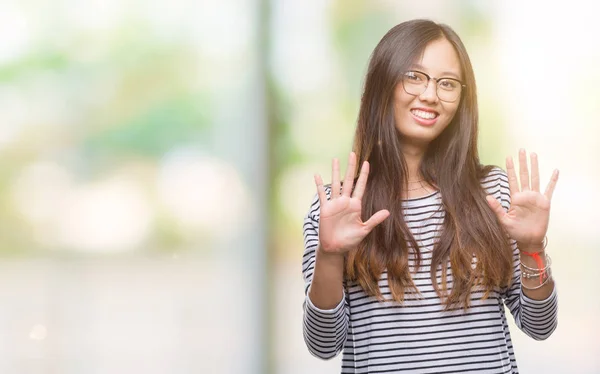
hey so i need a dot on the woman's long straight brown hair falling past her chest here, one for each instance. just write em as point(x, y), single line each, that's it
point(451, 163)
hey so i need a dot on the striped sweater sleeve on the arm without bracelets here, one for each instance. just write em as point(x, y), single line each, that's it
point(325, 331)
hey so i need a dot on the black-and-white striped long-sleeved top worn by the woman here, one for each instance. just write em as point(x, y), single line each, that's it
point(418, 336)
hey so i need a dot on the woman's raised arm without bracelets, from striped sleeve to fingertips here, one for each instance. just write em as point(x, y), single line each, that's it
point(332, 227)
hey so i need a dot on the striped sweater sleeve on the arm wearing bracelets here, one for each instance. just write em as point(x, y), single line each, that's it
point(536, 318)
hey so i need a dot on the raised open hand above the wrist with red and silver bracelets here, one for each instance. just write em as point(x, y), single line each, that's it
point(527, 219)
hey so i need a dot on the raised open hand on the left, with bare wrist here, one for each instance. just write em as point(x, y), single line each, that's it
point(340, 225)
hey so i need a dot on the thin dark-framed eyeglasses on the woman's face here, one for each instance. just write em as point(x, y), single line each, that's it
point(416, 82)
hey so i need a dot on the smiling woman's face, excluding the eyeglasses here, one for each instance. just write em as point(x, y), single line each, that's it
point(421, 118)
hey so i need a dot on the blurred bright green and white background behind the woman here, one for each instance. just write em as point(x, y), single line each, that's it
point(157, 158)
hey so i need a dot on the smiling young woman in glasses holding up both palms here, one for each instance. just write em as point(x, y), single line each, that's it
point(410, 271)
